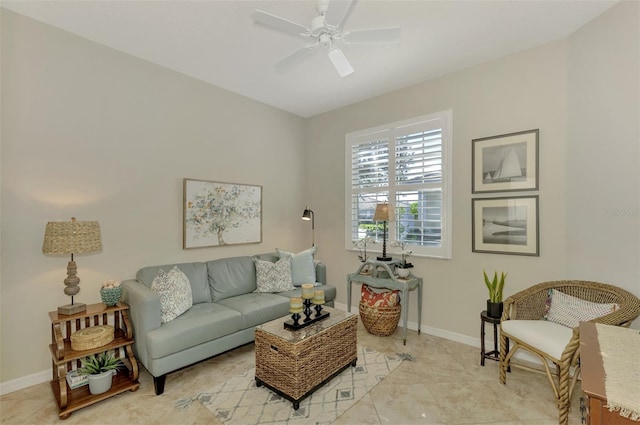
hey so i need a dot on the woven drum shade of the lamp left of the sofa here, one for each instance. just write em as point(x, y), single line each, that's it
point(72, 237)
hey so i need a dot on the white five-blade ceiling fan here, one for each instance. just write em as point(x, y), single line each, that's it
point(325, 30)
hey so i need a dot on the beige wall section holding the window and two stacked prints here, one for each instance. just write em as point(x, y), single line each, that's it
point(521, 92)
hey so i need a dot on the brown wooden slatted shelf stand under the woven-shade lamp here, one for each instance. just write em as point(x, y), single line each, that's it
point(64, 358)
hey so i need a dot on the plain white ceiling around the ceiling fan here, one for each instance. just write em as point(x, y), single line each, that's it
point(217, 42)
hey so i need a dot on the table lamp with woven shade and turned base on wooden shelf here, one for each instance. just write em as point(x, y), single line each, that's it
point(71, 237)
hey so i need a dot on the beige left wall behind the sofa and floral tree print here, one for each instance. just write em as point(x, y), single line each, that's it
point(93, 133)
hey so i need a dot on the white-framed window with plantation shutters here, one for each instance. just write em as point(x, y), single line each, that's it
point(407, 164)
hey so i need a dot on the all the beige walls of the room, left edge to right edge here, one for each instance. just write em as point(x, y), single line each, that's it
point(93, 133)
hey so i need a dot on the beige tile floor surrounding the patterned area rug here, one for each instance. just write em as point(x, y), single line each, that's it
point(444, 385)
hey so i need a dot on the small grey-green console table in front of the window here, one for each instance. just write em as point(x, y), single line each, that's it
point(383, 277)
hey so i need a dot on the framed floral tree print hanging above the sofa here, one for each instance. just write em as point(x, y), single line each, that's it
point(218, 214)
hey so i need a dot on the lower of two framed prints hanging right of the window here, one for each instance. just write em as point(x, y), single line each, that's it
point(506, 225)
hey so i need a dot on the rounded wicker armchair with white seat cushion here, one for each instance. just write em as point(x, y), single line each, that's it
point(529, 304)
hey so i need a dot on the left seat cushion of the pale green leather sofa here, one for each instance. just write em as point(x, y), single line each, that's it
point(202, 323)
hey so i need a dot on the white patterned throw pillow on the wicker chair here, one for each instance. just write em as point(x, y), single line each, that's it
point(570, 311)
